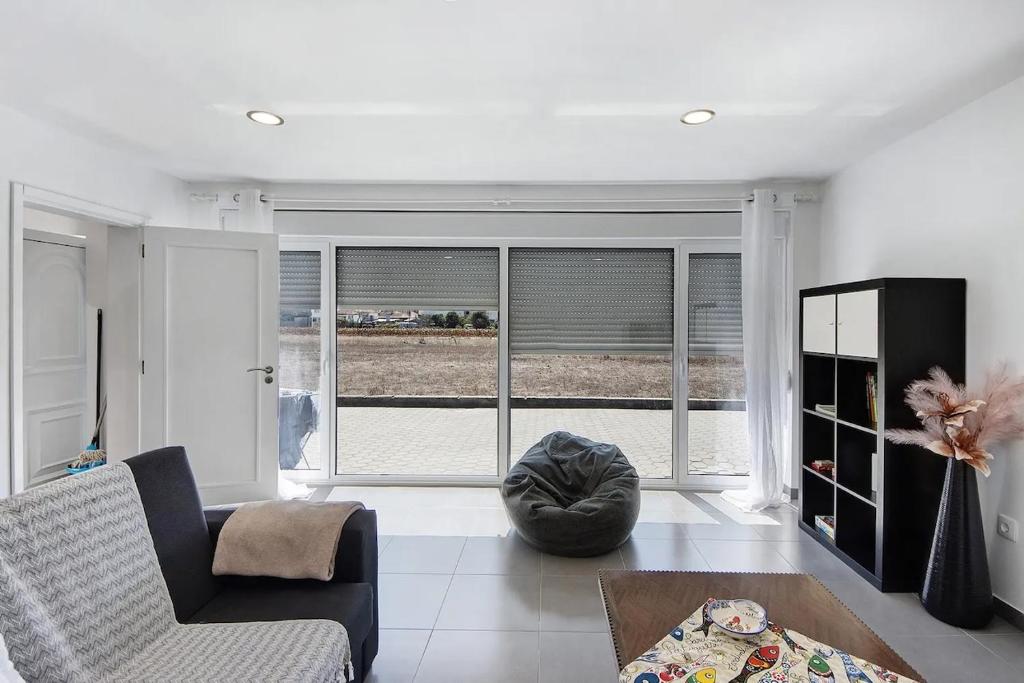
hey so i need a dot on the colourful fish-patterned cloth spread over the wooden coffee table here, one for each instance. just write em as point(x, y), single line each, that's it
point(700, 652)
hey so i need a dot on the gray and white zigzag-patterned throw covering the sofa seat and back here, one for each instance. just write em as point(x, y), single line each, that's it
point(82, 599)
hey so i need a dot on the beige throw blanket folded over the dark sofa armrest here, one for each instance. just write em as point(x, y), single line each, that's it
point(286, 539)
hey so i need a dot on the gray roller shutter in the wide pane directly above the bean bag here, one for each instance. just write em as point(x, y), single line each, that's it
point(612, 302)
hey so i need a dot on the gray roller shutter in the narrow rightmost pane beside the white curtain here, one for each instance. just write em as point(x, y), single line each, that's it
point(716, 306)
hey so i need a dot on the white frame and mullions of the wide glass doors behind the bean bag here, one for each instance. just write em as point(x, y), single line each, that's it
point(682, 246)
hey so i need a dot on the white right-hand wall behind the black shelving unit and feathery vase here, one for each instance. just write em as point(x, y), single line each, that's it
point(946, 202)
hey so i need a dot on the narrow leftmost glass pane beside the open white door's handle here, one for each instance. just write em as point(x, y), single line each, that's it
point(300, 372)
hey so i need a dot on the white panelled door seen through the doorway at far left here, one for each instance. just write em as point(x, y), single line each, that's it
point(58, 406)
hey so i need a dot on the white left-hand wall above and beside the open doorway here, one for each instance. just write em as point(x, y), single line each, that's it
point(48, 157)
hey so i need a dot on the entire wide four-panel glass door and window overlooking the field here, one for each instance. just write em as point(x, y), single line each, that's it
point(433, 364)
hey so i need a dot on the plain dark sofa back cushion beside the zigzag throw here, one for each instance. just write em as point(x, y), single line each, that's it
point(178, 525)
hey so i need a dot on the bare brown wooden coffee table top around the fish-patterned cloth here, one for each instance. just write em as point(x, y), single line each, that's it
point(644, 607)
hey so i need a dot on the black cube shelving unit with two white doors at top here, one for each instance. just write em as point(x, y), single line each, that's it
point(884, 498)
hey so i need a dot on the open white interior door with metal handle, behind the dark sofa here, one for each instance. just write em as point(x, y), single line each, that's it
point(210, 355)
